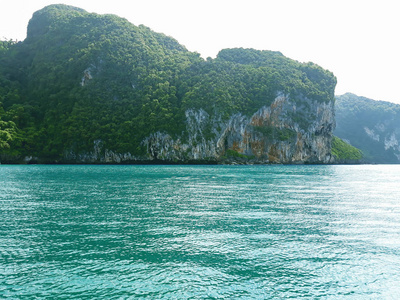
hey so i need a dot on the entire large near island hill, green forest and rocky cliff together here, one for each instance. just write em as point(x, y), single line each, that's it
point(84, 87)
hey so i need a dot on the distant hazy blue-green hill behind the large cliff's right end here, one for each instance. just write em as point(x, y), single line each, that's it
point(372, 126)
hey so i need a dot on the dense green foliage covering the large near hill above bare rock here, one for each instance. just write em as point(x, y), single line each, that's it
point(81, 77)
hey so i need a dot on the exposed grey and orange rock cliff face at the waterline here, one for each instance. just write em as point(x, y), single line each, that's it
point(271, 135)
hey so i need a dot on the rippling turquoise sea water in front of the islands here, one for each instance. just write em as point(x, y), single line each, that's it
point(200, 232)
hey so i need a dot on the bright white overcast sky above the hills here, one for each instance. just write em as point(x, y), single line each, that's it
point(358, 40)
